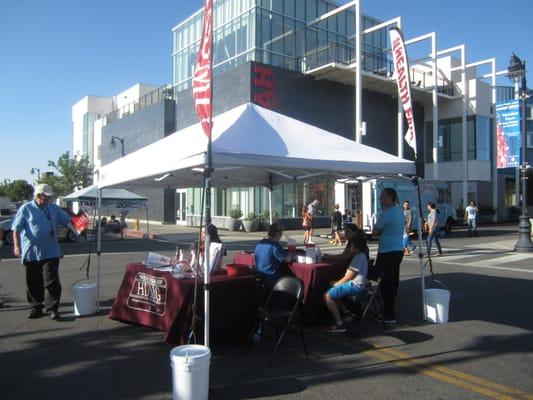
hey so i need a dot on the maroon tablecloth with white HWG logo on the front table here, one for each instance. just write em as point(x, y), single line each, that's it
point(156, 299)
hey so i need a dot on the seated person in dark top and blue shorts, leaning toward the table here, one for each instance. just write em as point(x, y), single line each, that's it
point(353, 282)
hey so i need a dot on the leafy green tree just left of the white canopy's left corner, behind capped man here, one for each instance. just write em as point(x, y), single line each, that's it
point(72, 173)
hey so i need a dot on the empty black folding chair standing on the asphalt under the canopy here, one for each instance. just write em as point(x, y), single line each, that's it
point(281, 311)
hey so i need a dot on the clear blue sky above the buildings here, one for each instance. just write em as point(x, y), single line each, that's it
point(57, 51)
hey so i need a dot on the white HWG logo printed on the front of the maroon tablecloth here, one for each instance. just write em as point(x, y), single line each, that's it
point(148, 293)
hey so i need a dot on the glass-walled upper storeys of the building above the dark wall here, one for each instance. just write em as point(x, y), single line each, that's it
point(275, 32)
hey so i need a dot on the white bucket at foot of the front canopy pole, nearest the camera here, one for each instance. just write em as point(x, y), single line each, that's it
point(190, 372)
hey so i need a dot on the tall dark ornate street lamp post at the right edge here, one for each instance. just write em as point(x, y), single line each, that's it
point(517, 72)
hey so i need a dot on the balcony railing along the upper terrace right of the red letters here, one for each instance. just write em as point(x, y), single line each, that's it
point(377, 64)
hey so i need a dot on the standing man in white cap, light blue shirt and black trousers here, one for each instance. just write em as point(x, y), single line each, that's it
point(35, 242)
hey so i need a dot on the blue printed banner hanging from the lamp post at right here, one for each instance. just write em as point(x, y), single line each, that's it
point(508, 138)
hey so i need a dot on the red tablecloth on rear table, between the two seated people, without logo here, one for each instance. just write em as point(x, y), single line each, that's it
point(316, 279)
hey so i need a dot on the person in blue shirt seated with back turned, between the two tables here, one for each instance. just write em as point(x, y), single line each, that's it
point(269, 255)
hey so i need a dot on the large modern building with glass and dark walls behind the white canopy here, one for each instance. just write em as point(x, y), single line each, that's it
point(276, 54)
